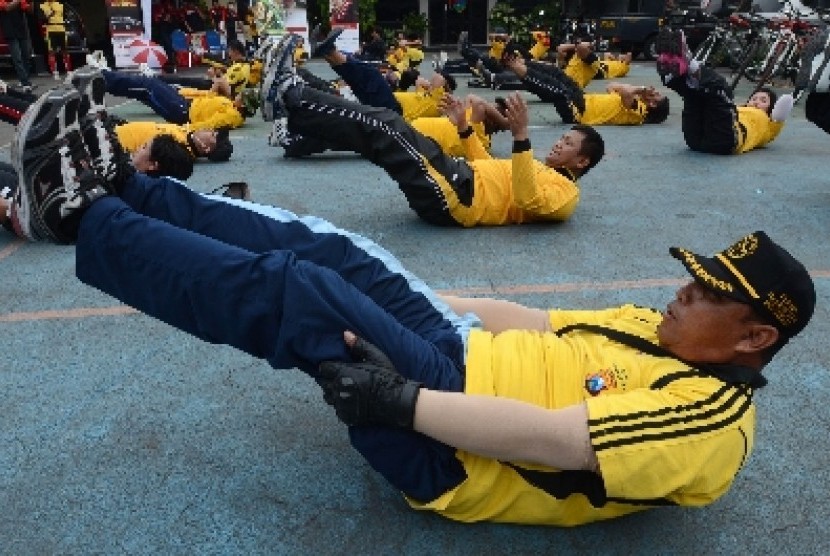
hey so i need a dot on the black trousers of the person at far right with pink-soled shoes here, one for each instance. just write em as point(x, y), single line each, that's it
point(710, 117)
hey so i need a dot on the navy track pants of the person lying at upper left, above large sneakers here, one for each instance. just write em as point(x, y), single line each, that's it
point(163, 98)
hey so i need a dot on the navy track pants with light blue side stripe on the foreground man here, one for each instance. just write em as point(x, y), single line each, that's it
point(282, 289)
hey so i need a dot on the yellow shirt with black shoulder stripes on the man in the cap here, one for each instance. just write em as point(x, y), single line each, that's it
point(664, 434)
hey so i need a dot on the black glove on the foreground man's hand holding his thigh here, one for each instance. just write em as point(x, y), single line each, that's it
point(370, 390)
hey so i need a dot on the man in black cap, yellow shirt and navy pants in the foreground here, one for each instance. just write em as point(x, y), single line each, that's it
point(508, 414)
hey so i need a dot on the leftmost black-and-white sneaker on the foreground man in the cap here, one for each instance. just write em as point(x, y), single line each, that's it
point(56, 178)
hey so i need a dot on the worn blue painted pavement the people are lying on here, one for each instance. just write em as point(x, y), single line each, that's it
point(119, 434)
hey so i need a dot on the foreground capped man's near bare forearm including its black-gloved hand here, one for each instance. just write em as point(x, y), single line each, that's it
point(370, 391)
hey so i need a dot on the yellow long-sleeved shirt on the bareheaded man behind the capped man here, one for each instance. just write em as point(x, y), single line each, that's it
point(510, 191)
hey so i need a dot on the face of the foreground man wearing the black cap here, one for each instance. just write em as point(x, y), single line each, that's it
point(703, 326)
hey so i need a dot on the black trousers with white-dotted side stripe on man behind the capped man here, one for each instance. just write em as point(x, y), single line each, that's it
point(380, 135)
